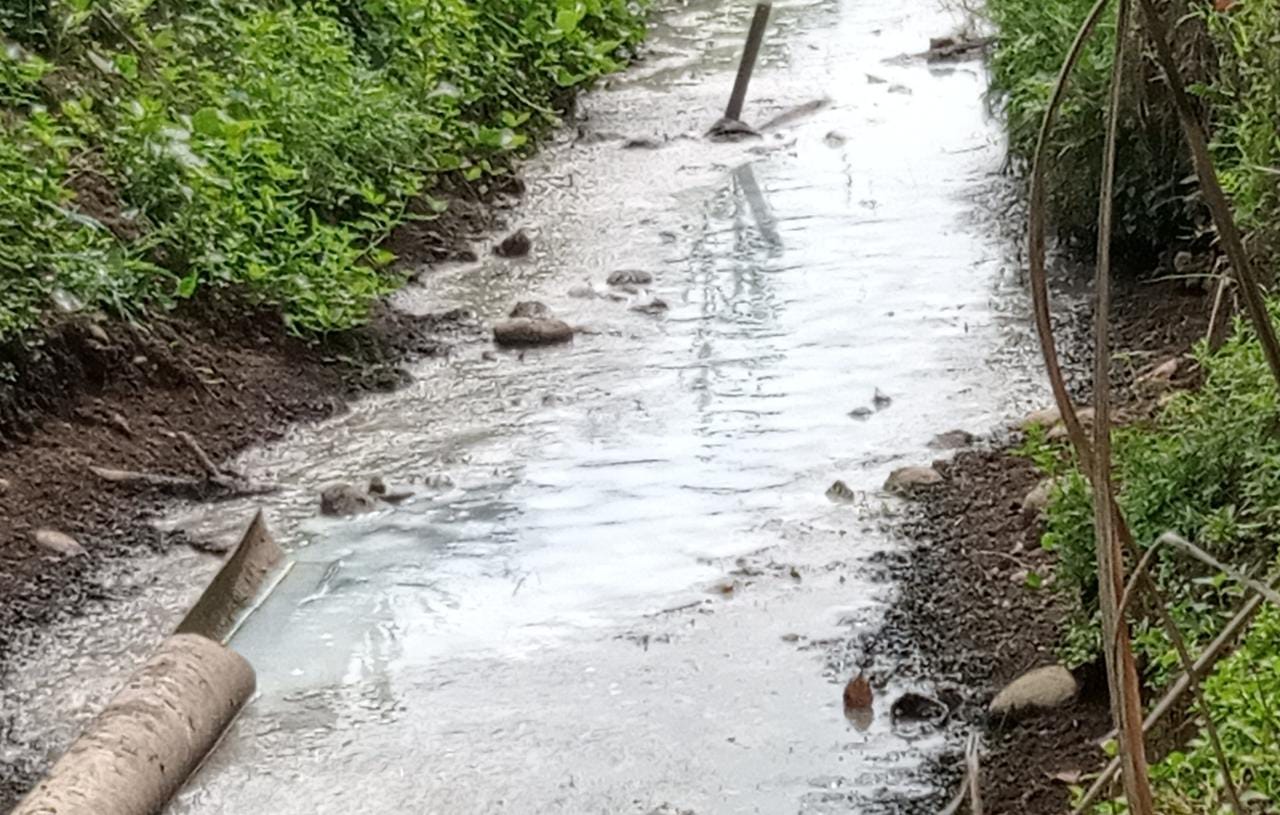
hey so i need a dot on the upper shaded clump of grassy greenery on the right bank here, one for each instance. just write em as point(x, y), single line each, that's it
point(1232, 61)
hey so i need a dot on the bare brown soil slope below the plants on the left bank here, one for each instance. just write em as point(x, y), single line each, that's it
point(111, 395)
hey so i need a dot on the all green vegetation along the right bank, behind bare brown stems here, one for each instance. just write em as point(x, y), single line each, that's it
point(1209, 465)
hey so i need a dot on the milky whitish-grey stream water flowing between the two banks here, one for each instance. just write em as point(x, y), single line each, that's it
point(619, 585)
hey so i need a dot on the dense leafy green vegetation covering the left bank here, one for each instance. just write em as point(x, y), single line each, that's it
point(150, 149)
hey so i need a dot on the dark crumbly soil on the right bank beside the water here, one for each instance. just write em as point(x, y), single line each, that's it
point(966, 608)
